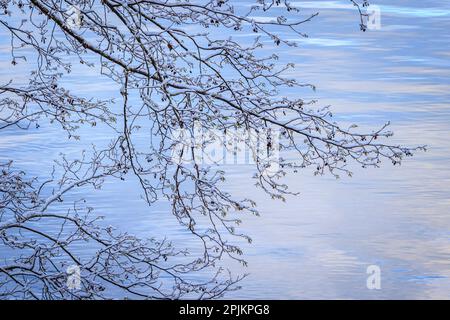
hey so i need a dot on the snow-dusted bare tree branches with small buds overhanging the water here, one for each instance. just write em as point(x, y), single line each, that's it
point(178, 66)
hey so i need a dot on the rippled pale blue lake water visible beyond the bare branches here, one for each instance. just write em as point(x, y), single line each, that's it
point(319, 244)
